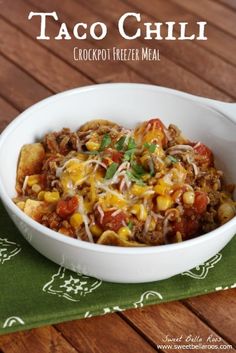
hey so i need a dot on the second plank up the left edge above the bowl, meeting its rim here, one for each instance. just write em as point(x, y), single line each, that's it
point(19, 88)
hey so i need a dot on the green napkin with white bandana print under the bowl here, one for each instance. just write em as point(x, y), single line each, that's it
point(36, 291)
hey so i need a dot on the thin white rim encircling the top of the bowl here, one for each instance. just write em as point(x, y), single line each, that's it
point(77, 243)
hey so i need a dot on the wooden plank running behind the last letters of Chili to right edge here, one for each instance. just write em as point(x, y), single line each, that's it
point(174, 11)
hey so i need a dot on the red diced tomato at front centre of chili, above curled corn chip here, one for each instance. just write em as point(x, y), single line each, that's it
point(110, 222)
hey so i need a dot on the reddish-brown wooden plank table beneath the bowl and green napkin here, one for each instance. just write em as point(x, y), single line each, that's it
point(32, 70)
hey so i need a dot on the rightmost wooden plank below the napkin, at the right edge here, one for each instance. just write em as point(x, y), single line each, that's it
point(218, 310)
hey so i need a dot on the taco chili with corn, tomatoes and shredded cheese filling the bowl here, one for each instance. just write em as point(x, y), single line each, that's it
point(111, 185)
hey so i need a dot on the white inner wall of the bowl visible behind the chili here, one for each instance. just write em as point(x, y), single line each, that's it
point(124, 104)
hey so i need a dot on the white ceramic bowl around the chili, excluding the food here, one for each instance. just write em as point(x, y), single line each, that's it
point(211, 122)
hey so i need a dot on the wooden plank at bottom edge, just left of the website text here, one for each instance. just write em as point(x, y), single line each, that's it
point(103, 334)
